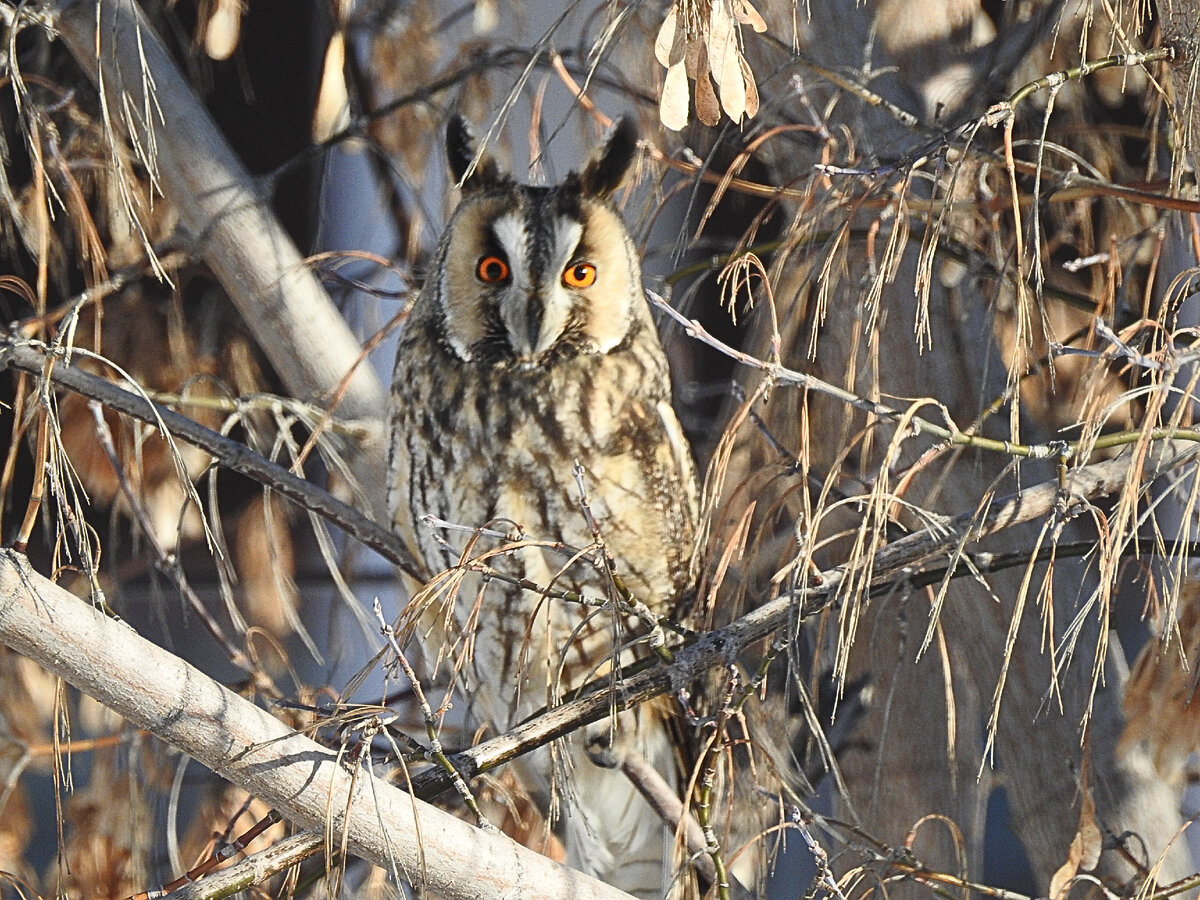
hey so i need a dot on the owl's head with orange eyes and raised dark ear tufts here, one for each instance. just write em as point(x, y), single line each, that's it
point(527, 275)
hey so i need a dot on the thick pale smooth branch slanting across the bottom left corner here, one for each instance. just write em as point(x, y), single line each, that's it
point(304, 781)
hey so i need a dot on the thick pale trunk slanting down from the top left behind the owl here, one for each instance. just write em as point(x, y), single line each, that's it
point(283, 303)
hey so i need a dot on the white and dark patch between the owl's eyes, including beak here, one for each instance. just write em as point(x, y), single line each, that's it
point(535, 305)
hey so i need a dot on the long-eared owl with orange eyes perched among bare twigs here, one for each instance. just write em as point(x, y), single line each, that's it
point(530, 351)
